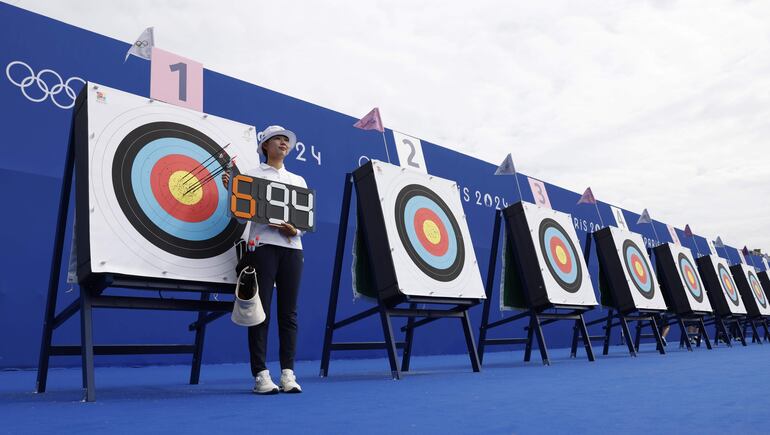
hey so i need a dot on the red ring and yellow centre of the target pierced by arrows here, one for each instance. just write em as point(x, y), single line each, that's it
point(175, 171)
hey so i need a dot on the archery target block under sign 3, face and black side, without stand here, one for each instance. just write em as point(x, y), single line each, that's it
point(548, 254)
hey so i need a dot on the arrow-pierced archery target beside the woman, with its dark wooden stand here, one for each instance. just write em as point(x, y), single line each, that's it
point(136, 230)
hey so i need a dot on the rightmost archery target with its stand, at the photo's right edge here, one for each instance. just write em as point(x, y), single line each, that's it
point(756, 301)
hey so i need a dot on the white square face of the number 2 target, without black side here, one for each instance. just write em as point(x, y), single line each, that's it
point(429, 237)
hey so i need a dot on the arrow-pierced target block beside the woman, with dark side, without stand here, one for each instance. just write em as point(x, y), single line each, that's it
point(149, 202)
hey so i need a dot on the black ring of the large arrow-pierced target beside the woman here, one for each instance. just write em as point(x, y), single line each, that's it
point(122, 168)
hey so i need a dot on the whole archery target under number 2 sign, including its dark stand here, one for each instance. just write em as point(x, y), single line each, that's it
point(417, 249)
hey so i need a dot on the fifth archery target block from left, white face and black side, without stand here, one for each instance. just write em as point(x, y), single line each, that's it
point(682, 286)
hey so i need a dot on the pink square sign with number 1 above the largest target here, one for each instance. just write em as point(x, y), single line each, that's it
point(176, 80)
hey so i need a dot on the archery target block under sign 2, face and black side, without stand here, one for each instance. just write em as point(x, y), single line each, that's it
point(415, 229)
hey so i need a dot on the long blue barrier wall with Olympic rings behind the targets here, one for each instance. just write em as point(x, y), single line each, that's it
point(35, 131)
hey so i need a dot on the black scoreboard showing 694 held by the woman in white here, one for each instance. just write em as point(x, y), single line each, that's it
point(271, 202)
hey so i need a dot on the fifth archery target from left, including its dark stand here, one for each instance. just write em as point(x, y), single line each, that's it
point(684, 293)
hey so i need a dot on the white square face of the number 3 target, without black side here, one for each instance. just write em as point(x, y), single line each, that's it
point(560, 257)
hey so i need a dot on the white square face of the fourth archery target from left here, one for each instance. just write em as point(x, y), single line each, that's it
point(637, 269)
